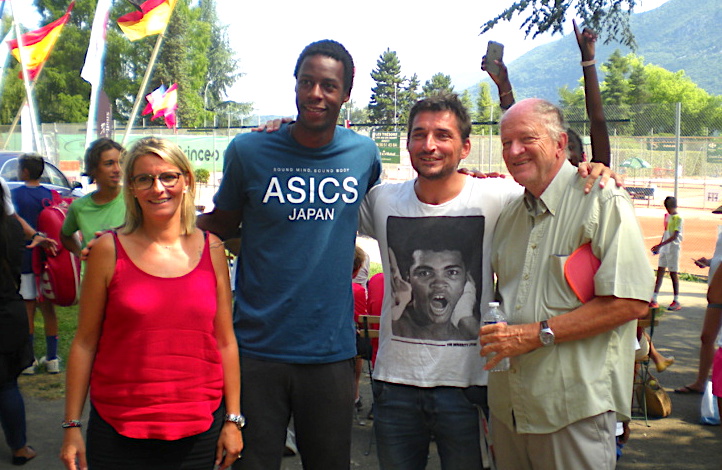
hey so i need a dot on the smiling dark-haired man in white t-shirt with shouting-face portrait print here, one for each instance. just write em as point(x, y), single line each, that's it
point(435, 235)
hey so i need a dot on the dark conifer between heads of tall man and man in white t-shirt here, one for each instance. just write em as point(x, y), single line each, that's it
point(384, 105)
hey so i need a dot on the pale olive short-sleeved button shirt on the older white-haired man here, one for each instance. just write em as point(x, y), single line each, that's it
point(552, 387)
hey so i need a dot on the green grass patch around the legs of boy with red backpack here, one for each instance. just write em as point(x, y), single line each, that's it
point(43, 385)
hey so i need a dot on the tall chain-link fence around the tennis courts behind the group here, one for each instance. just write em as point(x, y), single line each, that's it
point(661, 136)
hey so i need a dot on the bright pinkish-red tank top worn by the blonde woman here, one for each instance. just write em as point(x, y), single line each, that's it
point(157, 372)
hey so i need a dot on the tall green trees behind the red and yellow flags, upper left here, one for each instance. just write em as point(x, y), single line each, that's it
point(195, 54)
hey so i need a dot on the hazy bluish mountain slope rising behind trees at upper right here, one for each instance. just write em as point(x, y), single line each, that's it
point(679, 35)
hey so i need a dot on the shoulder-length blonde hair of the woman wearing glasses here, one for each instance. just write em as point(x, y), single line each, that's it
point(172, 154)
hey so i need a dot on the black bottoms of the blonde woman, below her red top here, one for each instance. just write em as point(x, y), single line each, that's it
point(108, 450)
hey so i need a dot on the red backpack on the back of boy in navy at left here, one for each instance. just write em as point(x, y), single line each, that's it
point(57, 277)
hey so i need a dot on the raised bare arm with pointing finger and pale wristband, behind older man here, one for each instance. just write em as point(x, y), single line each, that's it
point(601, 149)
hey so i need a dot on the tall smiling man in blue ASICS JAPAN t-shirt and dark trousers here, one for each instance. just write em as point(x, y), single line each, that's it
point(296, 195)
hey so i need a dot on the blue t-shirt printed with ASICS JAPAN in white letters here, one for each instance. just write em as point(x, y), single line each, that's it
point(293, 298)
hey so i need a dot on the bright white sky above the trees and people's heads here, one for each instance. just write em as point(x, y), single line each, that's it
point(428, 37)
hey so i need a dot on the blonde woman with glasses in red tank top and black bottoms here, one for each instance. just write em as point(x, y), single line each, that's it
point(155, 344)
